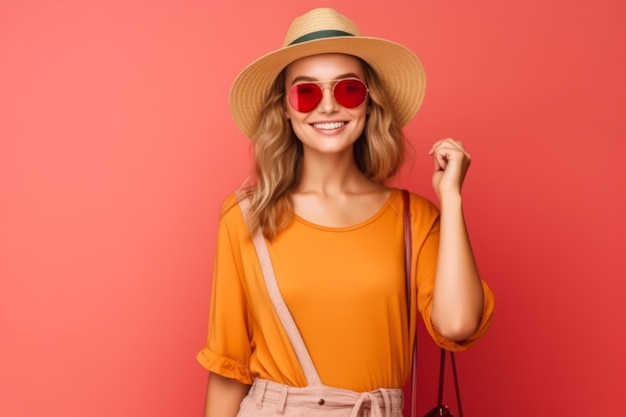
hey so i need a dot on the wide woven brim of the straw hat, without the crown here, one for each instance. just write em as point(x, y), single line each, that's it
point(400, 70)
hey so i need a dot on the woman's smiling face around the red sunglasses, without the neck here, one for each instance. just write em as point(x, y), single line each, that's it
point(329, 127)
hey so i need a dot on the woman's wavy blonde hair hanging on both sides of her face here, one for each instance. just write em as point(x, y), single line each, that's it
point(378, 153)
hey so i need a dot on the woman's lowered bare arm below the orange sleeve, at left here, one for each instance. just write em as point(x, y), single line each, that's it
point(224, 396)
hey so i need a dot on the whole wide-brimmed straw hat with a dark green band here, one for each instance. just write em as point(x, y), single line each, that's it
point(327, 31)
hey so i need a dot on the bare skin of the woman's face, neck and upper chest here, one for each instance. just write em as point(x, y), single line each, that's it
point(332, 191)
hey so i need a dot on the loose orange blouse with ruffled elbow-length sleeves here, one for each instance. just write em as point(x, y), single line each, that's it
point(345, 290)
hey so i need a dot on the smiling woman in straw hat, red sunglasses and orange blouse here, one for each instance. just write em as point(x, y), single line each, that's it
point(325, 113)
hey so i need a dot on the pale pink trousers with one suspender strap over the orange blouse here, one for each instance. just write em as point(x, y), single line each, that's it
point(270, 399)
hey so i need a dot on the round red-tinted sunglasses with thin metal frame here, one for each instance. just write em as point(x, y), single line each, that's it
point(349, 92)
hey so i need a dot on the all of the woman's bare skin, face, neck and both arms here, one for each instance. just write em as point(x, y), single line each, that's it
point(334, 193)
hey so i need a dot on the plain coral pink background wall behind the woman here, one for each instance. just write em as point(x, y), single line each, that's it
point(116, 149)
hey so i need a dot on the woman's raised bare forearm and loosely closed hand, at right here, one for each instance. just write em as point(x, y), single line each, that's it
point(458, 293)
